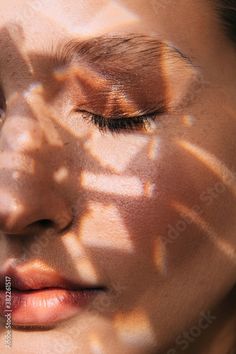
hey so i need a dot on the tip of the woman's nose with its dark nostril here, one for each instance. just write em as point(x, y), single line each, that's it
point(27, 210)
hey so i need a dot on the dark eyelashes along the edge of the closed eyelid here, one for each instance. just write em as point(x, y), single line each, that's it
point(119, 124)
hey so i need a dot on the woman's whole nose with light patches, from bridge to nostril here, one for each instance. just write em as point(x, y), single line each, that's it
point(29, 196)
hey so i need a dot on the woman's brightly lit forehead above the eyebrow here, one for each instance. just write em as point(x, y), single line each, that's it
point(45, 21)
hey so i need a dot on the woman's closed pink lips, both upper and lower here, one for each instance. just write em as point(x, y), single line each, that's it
point(42, 298)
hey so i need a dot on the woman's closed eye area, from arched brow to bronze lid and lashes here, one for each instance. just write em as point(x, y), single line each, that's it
point(115, 82)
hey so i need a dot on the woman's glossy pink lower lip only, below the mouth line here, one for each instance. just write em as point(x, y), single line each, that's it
point(44, 307)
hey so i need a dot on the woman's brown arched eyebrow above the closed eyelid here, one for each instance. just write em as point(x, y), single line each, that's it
point(136, 50)
